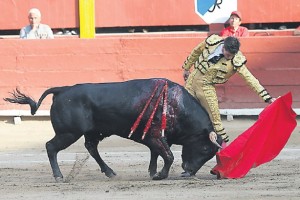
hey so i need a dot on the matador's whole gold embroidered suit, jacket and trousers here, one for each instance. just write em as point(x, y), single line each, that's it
point(201, 81)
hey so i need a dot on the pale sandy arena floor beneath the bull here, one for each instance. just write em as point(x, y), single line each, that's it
point(25, 170)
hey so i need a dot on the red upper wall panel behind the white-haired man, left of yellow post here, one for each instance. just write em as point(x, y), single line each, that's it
point(55, 13)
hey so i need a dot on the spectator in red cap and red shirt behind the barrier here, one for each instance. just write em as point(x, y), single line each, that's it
point(234, 28)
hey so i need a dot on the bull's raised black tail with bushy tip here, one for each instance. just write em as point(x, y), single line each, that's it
point(20, 98)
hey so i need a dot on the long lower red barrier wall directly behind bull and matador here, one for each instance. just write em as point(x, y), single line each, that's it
point(35, 65)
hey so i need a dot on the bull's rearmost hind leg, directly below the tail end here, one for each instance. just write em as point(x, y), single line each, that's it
point(56, 144)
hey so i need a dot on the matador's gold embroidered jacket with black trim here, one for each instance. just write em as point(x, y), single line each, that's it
point(221, 71)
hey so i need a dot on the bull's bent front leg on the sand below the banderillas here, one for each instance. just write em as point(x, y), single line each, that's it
point(161, 147)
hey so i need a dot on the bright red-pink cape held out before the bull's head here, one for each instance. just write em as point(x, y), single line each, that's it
point(261, 143)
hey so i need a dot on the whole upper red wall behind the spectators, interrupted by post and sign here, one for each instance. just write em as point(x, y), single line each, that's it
point(124, 13)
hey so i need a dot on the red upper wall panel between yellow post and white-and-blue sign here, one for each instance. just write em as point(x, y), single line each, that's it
point(118, 13)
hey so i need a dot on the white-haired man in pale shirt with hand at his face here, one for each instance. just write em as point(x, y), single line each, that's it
point(36, 30)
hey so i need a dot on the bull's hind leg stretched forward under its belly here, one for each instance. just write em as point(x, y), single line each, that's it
point(91, 145)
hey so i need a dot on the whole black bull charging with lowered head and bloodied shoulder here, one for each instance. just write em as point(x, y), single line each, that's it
point(100, 110)
